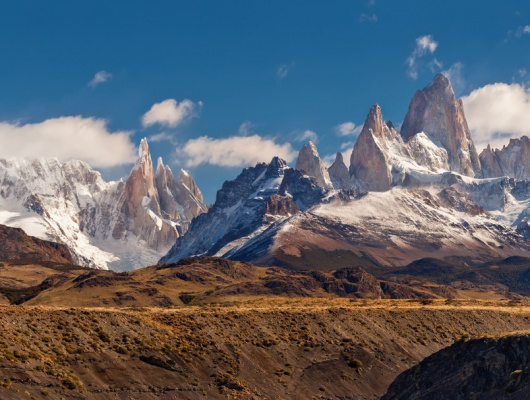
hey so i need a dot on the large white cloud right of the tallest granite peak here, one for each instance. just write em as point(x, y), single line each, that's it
point(498, 112)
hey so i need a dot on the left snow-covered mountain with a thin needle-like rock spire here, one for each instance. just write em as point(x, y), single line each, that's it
point(118, 225)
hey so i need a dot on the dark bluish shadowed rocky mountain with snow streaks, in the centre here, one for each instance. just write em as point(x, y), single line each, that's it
point(256, 201)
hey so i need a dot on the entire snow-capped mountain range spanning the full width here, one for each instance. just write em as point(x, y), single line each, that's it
point(420, 191)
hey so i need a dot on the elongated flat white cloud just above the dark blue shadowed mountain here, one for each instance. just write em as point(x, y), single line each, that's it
point(236, 151)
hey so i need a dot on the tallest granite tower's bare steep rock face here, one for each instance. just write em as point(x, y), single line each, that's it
point(435, 111)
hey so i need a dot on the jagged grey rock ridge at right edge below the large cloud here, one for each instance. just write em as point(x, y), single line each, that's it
point(512, 160)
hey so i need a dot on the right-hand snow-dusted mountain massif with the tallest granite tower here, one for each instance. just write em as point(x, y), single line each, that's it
point(405, 195)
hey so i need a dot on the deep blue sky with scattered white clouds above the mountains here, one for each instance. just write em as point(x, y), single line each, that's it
point(264, 75)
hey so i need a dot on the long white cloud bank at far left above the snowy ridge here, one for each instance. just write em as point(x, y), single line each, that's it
point(66, 138)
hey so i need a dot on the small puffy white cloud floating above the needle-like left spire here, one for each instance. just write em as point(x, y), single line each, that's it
point(170, 113)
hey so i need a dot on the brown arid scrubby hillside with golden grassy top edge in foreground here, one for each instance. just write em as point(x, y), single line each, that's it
point(281, 349)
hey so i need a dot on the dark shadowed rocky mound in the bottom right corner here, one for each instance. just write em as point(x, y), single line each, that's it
point(485, 369)
